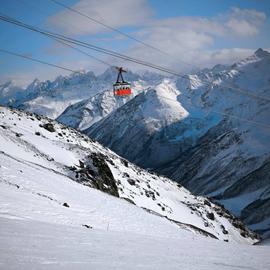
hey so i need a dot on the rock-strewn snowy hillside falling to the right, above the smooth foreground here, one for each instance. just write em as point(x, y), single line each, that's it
point(43, 165)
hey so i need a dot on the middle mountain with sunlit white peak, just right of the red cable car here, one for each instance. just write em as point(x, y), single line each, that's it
point(138, 126)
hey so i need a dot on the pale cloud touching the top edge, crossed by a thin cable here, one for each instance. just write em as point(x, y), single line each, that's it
point(115, 13)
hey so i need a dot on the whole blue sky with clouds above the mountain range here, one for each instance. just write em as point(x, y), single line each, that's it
point(200, 33)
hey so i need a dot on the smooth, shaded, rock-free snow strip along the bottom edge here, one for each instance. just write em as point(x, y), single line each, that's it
point(28, 244)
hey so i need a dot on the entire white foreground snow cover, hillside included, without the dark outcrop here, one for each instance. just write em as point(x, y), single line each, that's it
point(97, 230)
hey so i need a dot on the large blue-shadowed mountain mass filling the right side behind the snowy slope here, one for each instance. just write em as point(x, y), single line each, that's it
point(200, 132)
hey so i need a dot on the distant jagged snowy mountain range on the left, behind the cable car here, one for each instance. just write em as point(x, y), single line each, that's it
point(51, 98)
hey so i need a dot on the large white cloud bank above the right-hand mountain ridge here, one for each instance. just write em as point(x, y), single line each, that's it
point(192, 39)
